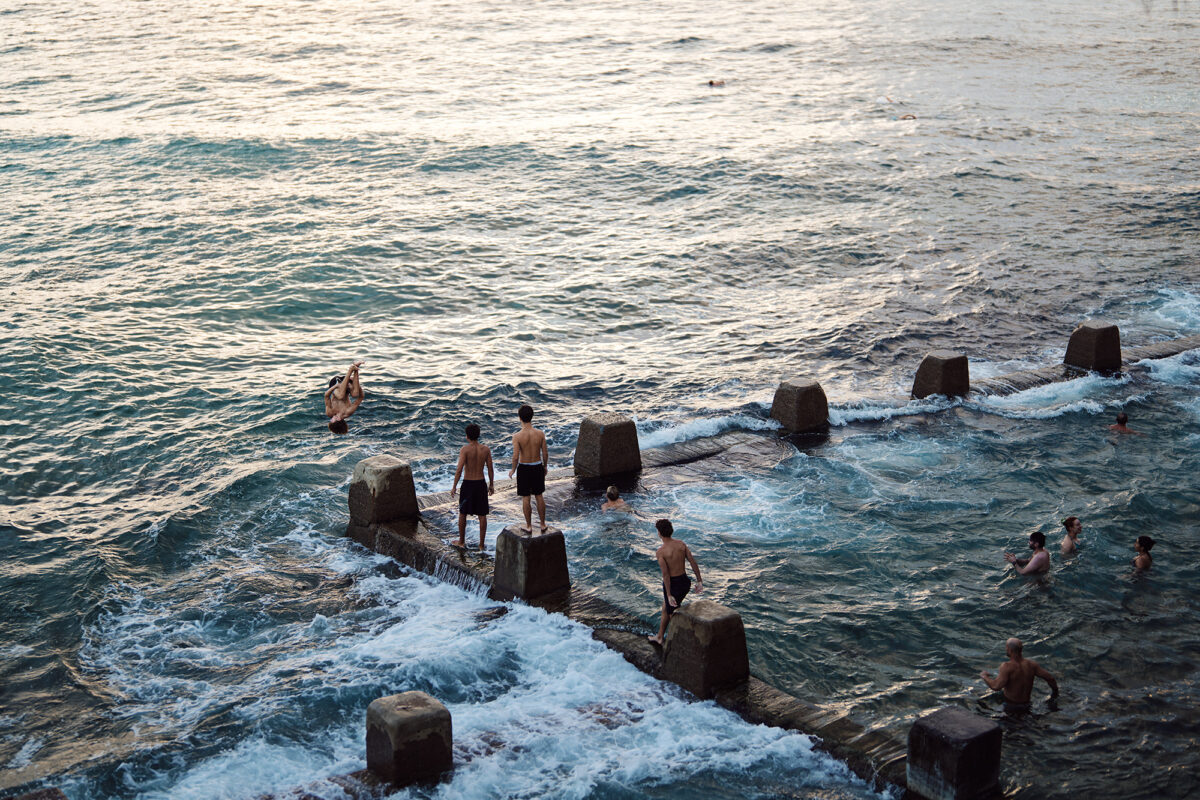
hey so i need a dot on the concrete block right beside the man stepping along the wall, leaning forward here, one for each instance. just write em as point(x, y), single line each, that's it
point(706, 648)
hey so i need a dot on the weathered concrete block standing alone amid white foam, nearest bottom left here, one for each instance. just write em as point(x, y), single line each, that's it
point(410, 738)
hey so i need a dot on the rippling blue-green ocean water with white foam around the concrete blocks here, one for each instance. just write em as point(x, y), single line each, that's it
point(209, 208)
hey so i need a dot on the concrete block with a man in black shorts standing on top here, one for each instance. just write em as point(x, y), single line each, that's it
point(530, 566)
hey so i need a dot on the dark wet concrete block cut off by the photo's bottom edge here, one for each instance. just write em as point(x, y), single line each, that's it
point(955, 755)
